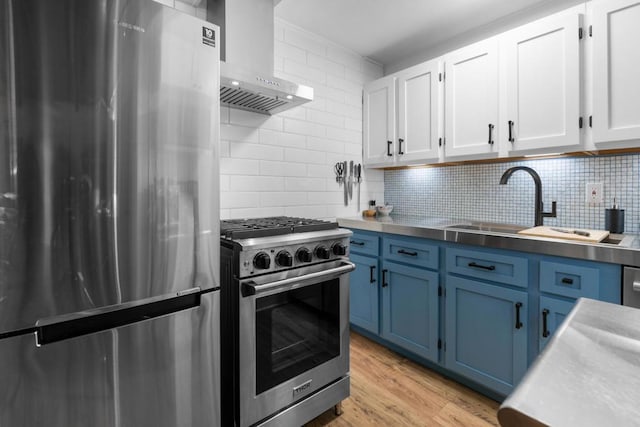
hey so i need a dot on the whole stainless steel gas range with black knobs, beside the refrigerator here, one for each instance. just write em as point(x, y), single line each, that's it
point(284, 319)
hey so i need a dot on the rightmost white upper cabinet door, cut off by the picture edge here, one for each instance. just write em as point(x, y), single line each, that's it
point(616, 71)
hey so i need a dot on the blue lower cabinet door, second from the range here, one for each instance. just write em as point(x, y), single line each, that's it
point(410, 309)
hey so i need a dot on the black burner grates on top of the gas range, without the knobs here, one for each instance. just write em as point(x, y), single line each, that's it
point(272, 226)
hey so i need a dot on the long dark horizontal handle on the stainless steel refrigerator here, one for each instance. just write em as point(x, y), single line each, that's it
point(59, 328)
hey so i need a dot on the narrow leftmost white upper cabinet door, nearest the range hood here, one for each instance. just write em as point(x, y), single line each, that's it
point(379, 122)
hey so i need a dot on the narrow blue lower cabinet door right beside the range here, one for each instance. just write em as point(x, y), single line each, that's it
point(363, 293)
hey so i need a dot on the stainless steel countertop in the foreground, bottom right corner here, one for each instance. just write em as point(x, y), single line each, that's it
point(587, 375)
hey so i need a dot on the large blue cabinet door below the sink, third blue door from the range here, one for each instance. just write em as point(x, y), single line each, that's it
point(486, 333)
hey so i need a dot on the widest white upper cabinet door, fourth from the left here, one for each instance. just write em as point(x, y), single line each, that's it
point(542, 82)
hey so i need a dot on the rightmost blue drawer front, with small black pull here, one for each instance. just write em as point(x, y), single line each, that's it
point(569, 280)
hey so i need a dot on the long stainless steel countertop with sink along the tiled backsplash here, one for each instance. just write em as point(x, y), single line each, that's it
point(627, 252)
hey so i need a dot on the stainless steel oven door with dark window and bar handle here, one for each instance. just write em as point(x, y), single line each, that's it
point(293, 336)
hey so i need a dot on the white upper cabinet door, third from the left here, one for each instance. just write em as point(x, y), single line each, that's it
point(471, 87)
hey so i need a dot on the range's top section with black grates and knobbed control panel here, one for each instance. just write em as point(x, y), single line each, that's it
point(268, 245)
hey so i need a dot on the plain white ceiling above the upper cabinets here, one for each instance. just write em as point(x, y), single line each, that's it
point(389, 31)
